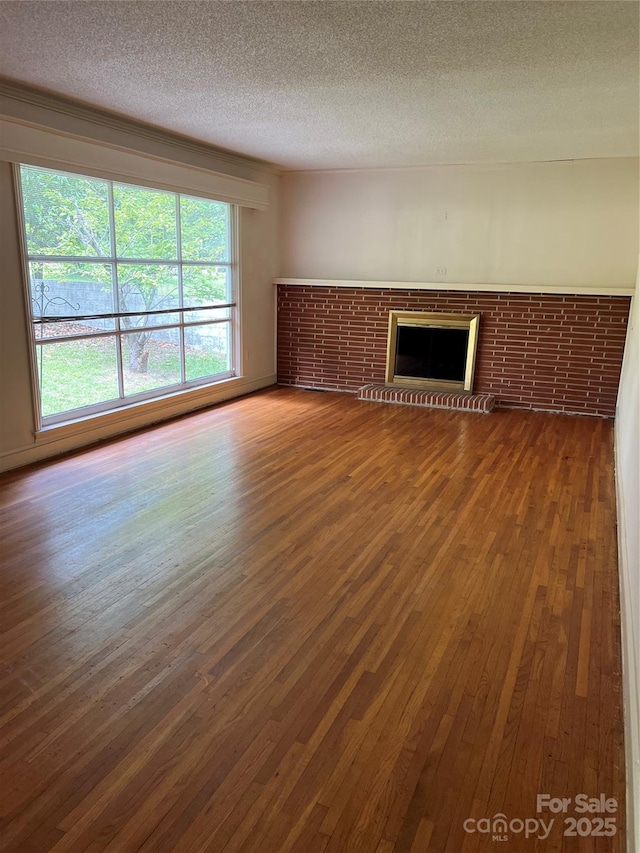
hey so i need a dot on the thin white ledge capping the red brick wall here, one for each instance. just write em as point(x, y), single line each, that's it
point(473, 287)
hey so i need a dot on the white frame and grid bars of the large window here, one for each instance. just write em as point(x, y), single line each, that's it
point(183, 387)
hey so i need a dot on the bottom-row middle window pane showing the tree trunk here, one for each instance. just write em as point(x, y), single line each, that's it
point(150, 359)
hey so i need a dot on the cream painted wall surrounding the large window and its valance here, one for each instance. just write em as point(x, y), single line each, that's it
point(258, 265)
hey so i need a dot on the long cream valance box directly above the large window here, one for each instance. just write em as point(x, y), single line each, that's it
point(25, 143)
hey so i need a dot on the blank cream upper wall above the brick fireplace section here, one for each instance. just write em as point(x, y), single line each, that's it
point(565, 223)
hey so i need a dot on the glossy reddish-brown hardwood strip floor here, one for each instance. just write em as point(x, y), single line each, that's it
point(299, 622)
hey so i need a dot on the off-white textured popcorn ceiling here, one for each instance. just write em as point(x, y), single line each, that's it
point(347, 84)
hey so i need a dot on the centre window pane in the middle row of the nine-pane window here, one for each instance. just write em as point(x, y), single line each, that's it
point(147, 287)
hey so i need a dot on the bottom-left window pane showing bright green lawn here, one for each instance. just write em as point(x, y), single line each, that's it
point(77, 373)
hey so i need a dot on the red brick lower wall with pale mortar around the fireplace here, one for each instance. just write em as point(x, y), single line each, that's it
point(535, 351)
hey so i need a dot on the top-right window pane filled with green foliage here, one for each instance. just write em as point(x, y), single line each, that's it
point(204, 229)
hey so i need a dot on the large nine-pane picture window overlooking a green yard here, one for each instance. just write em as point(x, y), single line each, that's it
point(131, 290)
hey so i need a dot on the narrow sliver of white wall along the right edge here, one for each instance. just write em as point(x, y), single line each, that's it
point(627, 437)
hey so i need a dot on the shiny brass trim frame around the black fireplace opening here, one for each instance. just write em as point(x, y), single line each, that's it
point(439, 321)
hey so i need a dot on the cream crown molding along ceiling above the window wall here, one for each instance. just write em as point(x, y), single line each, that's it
point(95, 115)
